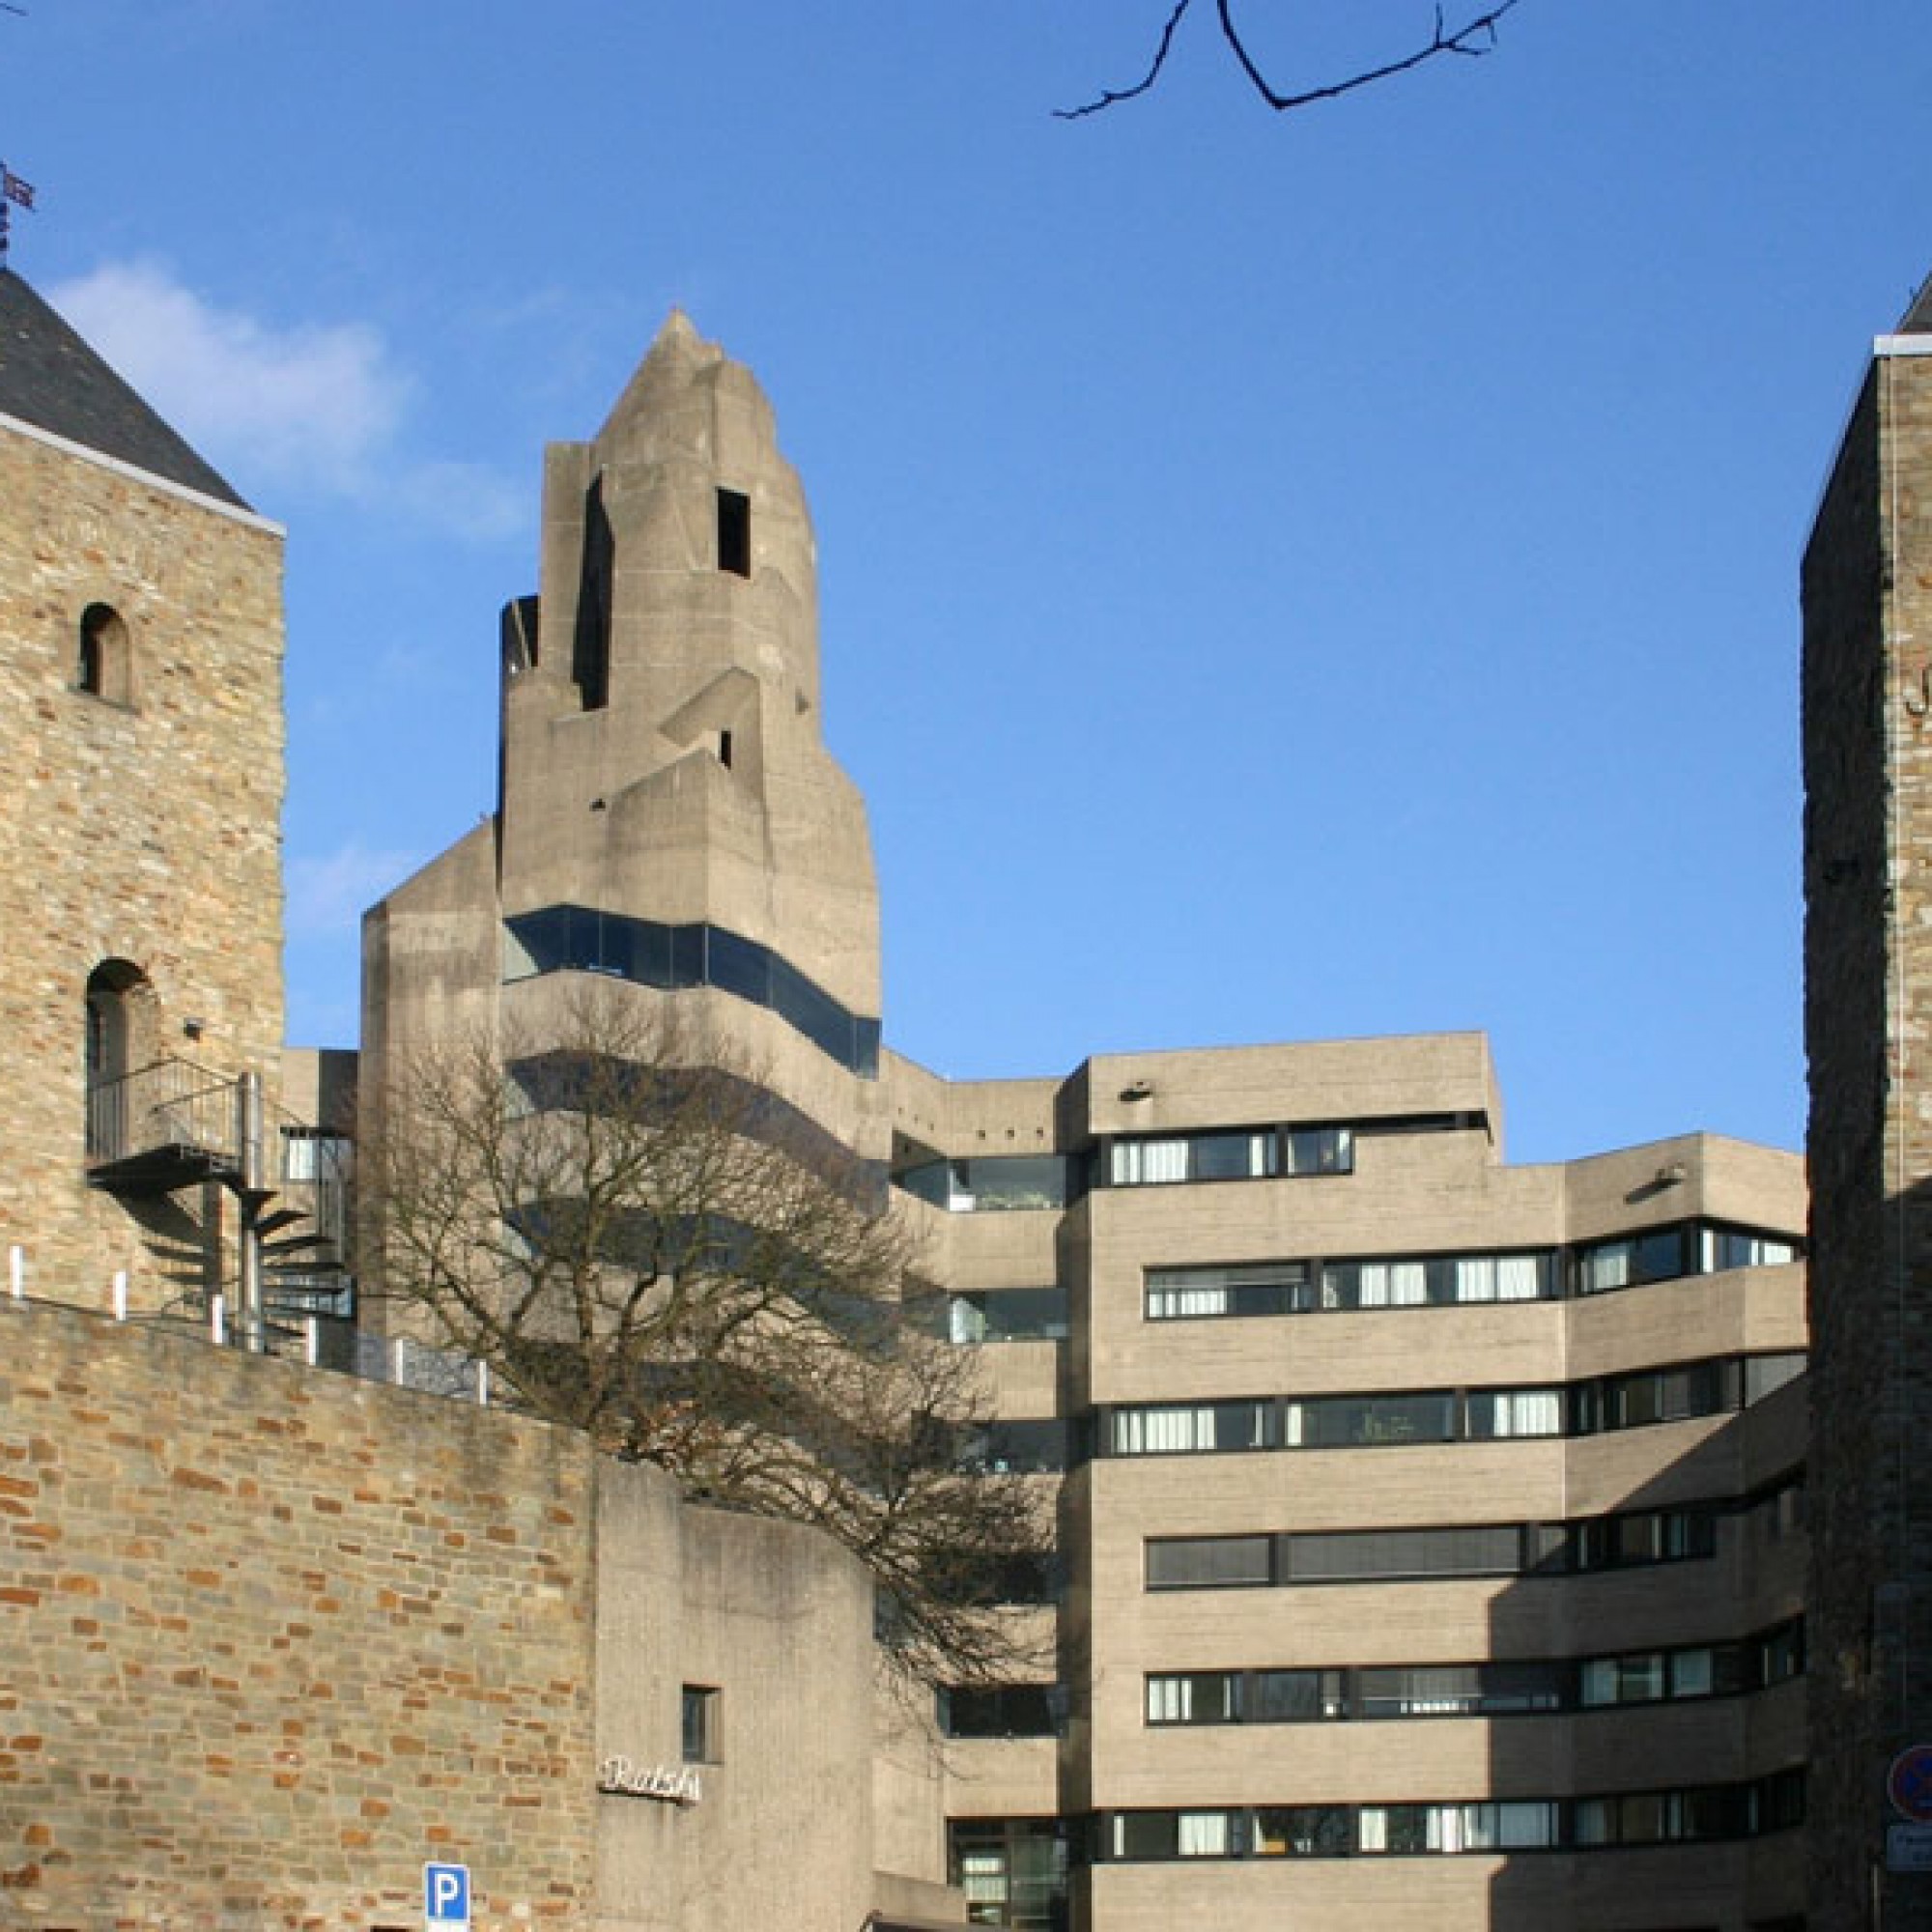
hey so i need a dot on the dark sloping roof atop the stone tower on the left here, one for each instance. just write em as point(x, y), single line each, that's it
point(53, 380)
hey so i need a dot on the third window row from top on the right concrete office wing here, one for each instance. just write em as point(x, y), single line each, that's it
point(1674, 1394)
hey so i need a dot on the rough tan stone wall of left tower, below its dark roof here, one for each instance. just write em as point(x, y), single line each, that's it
point(146, 832)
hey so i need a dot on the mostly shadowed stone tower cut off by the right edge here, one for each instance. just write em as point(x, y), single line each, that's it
point(1869, 1038)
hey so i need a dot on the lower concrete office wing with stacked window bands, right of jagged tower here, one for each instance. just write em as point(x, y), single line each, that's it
point(1427, 1697)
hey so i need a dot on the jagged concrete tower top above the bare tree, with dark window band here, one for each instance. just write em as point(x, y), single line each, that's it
point(671, 828)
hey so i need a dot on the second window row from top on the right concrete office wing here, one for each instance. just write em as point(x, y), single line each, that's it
point(1458, 1280)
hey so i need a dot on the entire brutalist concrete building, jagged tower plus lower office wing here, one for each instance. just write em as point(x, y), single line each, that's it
point(1431, 1535)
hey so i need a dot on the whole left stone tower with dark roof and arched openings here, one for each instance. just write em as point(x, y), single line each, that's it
point(140, 843)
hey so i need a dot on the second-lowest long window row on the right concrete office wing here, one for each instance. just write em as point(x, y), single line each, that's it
point(1475, 1690)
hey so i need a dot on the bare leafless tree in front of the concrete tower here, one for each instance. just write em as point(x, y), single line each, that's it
point(646, 1247)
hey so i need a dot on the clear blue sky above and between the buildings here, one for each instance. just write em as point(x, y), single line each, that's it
point(1282, 577)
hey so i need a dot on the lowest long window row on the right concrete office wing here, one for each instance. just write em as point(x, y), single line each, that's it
point(1678, 1817)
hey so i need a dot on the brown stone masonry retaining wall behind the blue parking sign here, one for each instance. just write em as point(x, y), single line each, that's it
point(270, 1639)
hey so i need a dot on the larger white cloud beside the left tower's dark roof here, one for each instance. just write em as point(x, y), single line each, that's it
point(304, 409)
